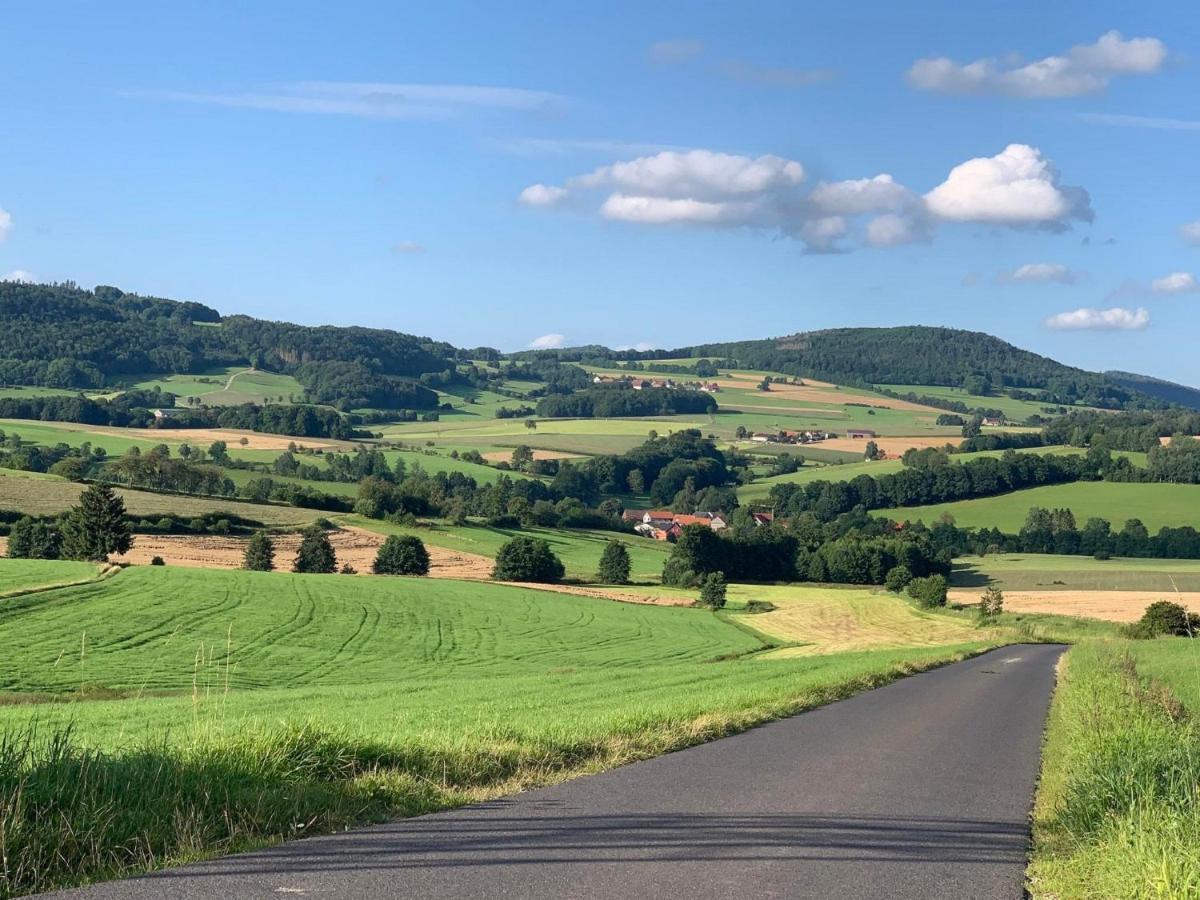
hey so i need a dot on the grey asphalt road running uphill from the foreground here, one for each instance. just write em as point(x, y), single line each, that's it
point(917, 790)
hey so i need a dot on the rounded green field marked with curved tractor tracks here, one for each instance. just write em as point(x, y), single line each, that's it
point(169, 629)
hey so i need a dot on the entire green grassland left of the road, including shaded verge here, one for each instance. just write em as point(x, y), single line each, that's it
point(256, 707)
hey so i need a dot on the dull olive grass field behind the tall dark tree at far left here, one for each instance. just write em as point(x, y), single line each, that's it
point(49, 496)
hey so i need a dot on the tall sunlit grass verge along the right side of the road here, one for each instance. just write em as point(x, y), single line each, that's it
point(1119, 809)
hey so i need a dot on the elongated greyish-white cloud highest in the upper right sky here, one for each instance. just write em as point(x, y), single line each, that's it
point(1085, 69)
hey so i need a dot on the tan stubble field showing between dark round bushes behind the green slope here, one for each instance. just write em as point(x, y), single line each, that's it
point(352, 545)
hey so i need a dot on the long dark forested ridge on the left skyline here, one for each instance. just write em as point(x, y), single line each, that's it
point(61, 337)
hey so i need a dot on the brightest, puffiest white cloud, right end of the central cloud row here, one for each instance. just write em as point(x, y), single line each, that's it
point(1016, 188)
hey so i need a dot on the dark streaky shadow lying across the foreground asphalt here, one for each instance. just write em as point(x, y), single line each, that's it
point(485, 836)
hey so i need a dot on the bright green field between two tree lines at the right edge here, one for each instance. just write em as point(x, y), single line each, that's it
point(1155, 505)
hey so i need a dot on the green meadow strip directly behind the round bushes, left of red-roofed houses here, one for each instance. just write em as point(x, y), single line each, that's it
point(579, 549)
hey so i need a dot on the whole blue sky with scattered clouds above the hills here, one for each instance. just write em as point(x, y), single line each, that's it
point(622, 173)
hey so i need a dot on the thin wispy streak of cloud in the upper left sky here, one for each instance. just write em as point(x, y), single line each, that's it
point(373, 100)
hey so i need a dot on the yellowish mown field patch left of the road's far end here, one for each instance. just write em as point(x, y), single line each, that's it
point(824, 620)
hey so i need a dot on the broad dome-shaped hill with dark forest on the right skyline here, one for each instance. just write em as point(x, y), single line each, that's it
point(920, 355)
